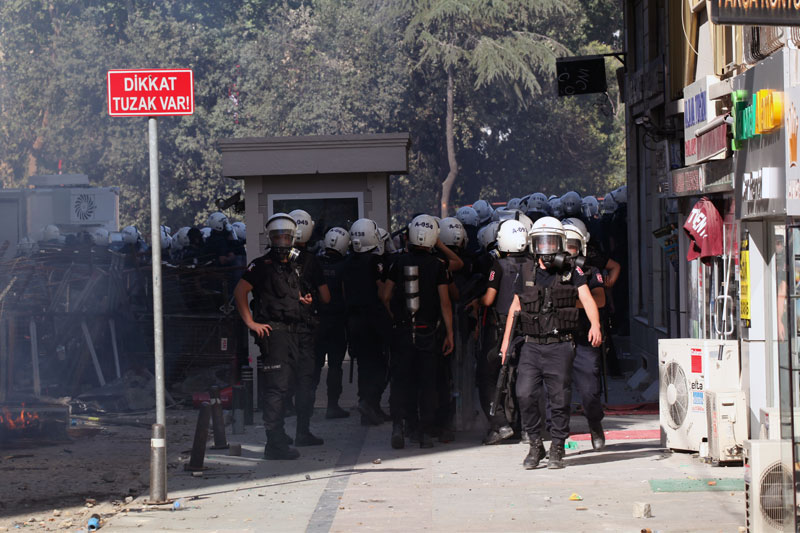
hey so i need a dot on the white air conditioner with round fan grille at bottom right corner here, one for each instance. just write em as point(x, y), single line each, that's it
point(769, 502)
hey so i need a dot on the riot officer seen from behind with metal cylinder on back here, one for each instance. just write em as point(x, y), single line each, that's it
point(416, 295)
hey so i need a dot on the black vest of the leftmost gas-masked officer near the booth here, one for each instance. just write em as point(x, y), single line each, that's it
point(278, 297)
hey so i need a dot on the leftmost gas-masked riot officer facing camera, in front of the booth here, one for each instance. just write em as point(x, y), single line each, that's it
point(274, 323)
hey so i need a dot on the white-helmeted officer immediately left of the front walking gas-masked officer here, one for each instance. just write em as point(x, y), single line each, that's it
point(504, 281)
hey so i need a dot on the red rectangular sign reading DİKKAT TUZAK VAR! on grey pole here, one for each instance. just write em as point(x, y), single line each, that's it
point(150, 92)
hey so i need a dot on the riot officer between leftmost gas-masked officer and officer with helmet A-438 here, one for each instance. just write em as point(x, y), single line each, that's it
point(331, 339)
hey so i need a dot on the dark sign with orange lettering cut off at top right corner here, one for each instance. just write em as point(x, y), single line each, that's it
point(756, 12)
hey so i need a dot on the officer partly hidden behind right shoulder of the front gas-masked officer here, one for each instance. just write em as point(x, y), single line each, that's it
point(586, 372)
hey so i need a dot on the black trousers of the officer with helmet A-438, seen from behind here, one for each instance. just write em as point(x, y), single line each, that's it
point(367, 346)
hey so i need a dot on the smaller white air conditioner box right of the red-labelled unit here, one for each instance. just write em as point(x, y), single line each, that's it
point(727, 417)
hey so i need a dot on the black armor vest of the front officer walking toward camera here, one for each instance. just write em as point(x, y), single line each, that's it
point(549, 310)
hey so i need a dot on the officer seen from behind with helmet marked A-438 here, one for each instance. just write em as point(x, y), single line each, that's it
point(362, 279)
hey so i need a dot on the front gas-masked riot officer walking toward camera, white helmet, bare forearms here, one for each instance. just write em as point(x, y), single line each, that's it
point(547, 323)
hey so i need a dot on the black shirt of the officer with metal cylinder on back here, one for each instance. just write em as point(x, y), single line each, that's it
point(432, 274)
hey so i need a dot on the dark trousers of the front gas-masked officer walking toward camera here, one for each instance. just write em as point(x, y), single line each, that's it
point(550, 366)
